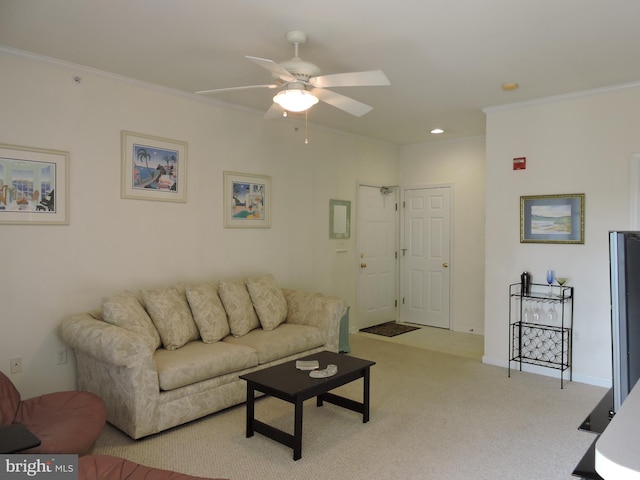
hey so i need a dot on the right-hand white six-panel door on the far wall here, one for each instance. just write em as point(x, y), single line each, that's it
point(425, 256)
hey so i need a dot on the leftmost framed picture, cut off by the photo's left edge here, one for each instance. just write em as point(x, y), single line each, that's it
point(33, 185)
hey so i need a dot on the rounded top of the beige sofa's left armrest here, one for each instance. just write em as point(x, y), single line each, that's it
point(105, 342)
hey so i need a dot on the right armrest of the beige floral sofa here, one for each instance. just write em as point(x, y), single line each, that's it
point(318, 310)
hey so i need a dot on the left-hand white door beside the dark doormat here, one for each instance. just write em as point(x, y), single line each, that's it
point(377, 242)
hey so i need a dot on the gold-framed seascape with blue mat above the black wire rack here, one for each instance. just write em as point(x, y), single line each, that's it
point(552, 218)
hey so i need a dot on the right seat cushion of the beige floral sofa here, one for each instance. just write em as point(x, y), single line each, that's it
point(287, 339)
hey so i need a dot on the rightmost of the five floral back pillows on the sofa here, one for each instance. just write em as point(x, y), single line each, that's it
point(268, 301)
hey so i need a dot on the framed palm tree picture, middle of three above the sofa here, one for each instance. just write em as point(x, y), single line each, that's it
point(153, 168)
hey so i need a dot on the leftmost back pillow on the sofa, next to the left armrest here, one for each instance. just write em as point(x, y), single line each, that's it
point(125, 310)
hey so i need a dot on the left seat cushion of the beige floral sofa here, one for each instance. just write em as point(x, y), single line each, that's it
point(198, 361)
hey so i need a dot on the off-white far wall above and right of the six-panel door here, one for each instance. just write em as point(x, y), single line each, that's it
point(460, 164)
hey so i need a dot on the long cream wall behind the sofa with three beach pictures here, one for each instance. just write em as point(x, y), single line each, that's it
point(112, 244)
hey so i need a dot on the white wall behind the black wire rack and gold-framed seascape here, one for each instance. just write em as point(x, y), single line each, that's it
point(574, 144)
